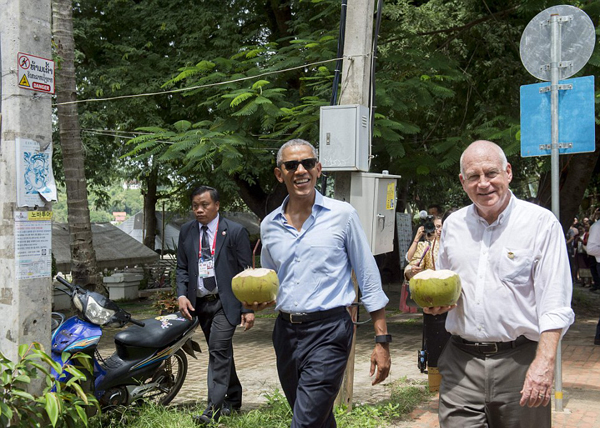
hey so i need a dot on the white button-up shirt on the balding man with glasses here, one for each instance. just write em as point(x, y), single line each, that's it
point(514, 272)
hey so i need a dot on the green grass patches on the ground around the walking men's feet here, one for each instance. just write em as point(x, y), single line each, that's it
point(406, 395)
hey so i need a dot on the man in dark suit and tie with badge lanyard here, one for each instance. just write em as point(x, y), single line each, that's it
point(211, 251)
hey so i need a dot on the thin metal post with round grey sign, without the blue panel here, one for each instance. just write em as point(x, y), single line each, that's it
point(550, 33)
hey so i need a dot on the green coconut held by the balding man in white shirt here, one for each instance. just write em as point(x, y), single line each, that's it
point(435, 288)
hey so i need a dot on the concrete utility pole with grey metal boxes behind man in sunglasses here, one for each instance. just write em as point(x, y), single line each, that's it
point(355, 87)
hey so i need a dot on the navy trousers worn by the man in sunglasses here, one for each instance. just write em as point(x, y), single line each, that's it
point(311, 359)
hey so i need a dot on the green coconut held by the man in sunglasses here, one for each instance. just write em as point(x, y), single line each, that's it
point(255, 285)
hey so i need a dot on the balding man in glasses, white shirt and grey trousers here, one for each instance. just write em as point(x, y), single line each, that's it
point(515, 304)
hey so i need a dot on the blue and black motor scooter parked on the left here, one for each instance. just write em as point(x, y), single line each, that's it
point(149, 362)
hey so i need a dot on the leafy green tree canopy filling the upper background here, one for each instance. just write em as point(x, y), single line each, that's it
point(447, 73)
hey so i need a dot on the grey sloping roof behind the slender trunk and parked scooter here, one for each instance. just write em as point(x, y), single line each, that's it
point(114, 248)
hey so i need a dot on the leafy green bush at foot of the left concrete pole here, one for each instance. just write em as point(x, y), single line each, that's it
point(63, 402)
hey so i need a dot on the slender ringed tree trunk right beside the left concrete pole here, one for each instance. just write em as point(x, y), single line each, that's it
point(83, 256)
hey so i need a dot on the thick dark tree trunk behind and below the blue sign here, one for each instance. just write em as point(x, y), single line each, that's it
point(576, 172)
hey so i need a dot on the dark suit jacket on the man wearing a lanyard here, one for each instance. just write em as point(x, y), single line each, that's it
point(232, 255)
